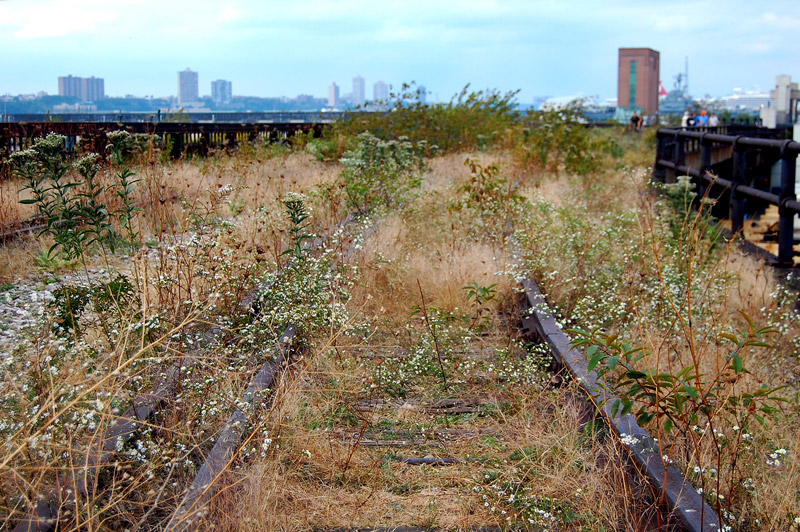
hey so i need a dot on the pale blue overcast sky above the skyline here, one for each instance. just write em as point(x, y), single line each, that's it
point(288, 47)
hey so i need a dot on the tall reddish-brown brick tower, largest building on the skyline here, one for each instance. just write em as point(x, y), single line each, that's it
point(637, 79)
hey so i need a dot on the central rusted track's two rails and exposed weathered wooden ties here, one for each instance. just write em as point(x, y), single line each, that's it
point(678, 501)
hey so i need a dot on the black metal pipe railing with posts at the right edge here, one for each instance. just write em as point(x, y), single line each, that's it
point(671, 153)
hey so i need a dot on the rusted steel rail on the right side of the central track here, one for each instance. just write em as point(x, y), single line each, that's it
point(677, 494)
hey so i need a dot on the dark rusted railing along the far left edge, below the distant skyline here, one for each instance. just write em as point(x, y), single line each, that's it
point(182, 136)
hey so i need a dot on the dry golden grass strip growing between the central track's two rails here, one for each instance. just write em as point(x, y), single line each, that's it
point(334, 466)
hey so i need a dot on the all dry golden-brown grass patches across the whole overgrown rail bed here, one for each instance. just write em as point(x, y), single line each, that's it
point(329, 463)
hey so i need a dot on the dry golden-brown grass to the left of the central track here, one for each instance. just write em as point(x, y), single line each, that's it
point(180, 278)
